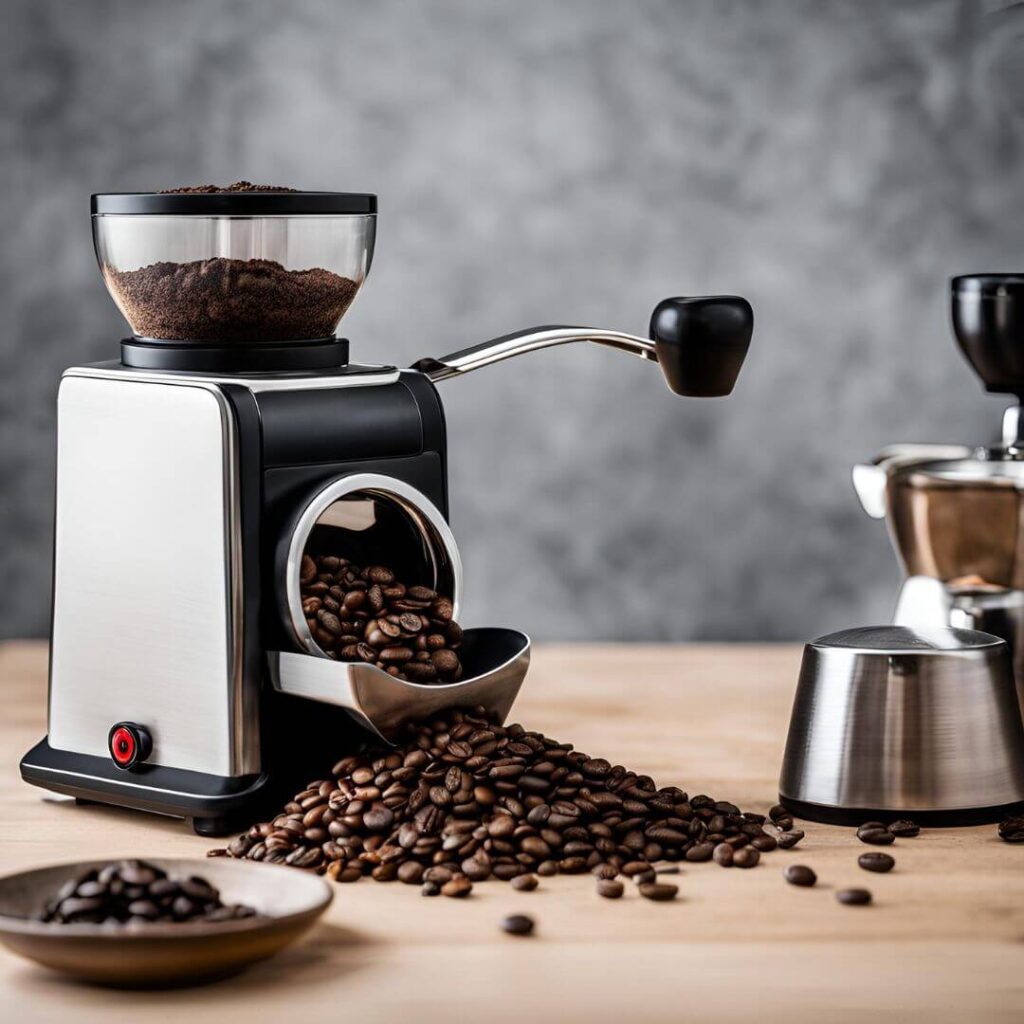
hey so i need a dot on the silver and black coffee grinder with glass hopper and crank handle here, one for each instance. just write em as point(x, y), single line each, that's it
point(233, 437)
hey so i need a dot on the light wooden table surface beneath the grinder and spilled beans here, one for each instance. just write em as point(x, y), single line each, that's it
point(944, 942)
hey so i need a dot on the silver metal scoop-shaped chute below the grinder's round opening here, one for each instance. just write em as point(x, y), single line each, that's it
point(495, 662)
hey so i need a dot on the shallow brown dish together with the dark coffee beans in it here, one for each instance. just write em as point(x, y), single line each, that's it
point(78, 918)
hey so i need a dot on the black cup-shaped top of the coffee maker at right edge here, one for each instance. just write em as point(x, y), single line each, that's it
point(989, 322)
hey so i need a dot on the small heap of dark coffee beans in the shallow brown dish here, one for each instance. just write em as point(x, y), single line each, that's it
point(135, 892)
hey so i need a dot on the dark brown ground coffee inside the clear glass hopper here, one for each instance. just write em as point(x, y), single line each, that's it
point(231, 301)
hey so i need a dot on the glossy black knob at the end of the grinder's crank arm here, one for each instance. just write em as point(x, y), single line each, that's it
point(702, 343)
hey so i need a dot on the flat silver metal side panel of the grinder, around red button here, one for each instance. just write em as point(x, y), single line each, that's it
point(147, 623)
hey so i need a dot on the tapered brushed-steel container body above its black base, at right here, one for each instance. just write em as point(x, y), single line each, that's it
point(907, 728)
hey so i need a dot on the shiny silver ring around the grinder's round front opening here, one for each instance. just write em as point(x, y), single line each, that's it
point(421, 511)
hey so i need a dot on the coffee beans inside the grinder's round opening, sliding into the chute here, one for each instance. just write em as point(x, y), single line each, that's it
point(366, 615)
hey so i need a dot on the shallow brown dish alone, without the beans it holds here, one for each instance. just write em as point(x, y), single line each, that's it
point(287, 903)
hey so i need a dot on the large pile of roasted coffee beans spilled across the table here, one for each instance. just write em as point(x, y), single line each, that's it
point(462, 800)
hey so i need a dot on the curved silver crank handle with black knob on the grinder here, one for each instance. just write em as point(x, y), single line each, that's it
point(700, 345)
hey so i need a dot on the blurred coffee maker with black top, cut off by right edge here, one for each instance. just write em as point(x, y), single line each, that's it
point(956, 514)
